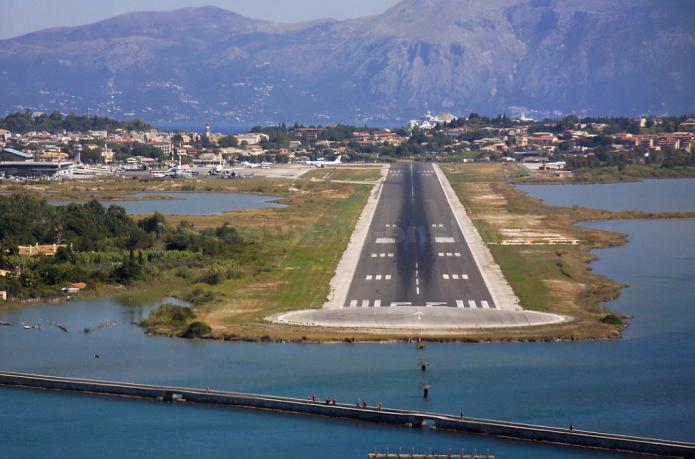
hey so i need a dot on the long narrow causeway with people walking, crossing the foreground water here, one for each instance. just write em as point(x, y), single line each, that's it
point(380, 415)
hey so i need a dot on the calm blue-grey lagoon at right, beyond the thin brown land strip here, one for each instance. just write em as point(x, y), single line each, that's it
point(650, 195)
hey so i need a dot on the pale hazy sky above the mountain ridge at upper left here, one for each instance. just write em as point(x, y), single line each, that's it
point(23, 16)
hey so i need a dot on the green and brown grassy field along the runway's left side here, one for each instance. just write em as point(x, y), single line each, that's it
point(289, 265)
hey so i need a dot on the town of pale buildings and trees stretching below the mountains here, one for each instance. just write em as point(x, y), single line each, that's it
point(57, 146)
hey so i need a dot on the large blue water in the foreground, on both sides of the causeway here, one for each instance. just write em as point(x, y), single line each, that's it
point(640, 385)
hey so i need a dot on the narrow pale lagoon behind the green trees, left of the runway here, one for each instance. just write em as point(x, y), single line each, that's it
point(191, 203)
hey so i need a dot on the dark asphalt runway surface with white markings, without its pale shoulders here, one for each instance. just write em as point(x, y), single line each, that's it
point(415, 253)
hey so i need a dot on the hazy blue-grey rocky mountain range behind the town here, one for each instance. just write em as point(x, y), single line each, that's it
point(489, 56)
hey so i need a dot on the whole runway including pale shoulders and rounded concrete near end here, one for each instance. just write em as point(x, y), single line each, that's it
point(409, 266)
